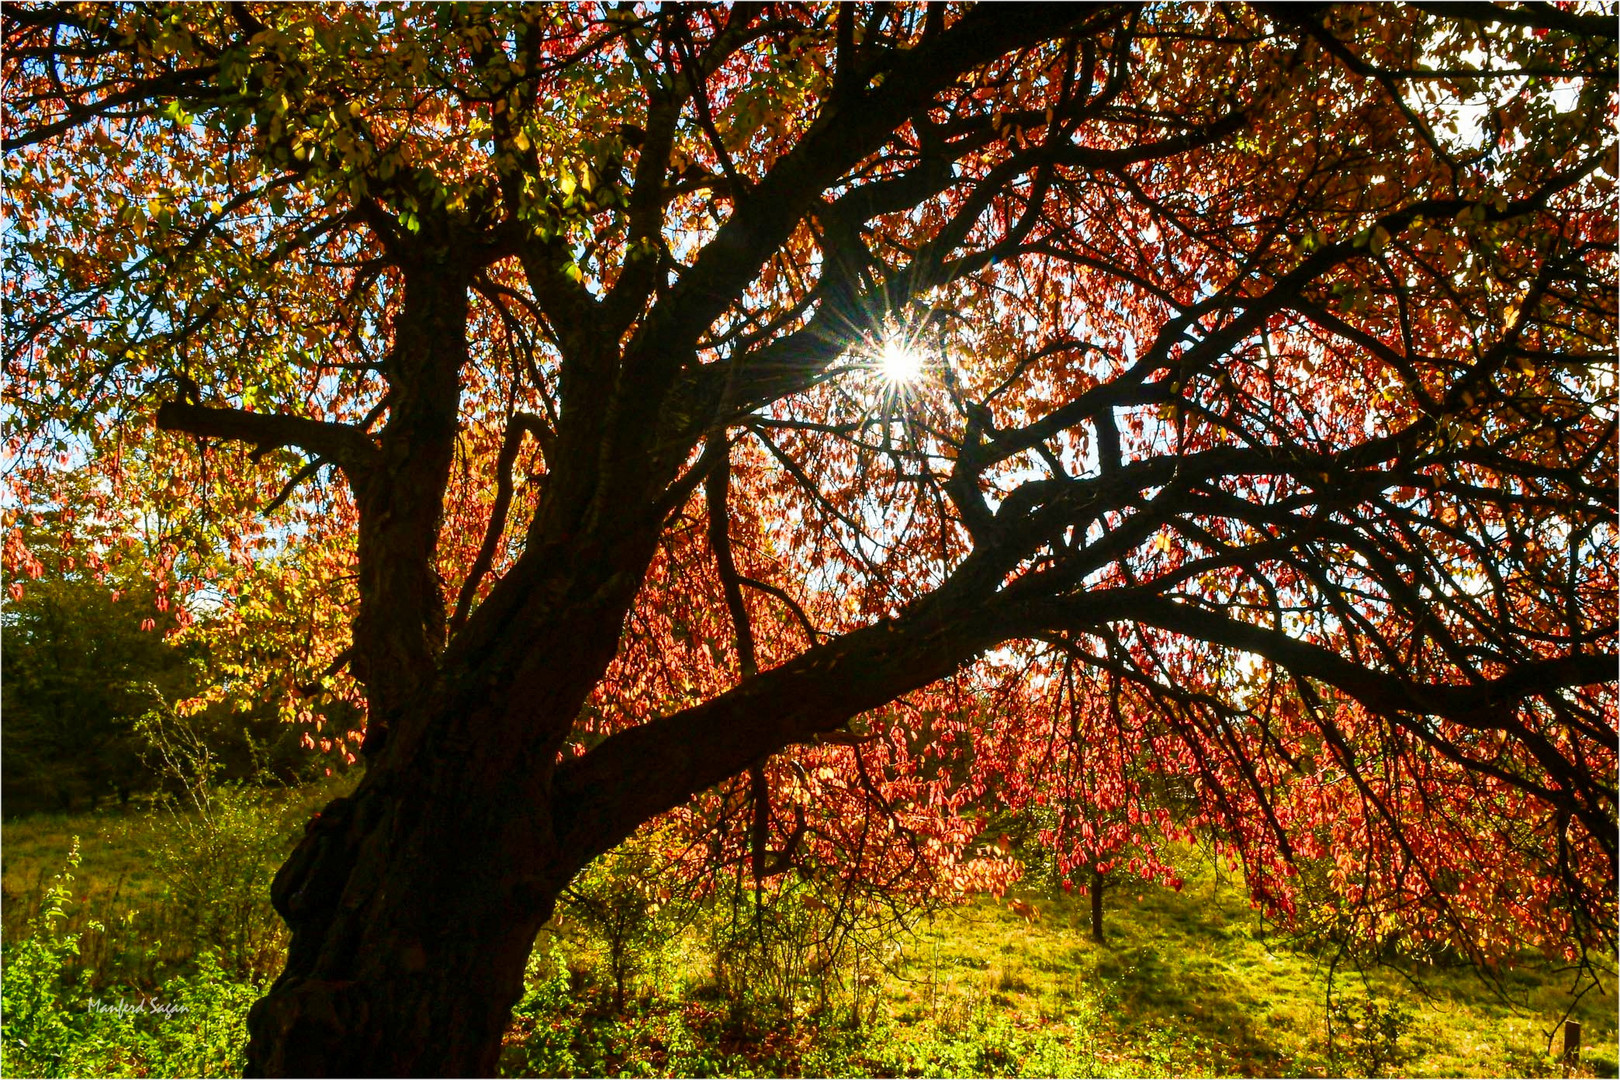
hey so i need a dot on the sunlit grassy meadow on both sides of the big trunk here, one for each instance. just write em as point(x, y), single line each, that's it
point(166, 908)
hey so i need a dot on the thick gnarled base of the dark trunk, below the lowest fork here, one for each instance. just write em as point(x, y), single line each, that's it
point(414, 908)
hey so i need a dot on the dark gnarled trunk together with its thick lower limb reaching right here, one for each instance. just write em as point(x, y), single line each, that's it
point(416, 903)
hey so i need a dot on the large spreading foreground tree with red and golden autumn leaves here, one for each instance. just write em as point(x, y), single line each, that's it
point(1256, 359)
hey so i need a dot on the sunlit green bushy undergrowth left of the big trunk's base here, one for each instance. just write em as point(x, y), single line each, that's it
point(163, 992)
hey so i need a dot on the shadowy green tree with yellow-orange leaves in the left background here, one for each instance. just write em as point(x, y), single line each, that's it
point(104, 631)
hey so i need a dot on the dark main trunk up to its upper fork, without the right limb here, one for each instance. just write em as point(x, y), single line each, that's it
point(414, 903)
